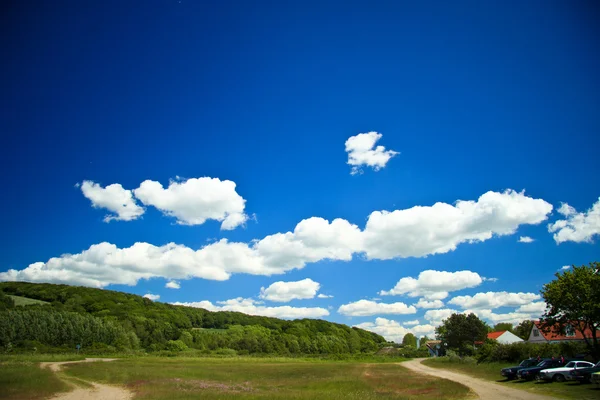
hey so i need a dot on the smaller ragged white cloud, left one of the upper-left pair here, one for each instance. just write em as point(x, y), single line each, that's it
point(114, 198)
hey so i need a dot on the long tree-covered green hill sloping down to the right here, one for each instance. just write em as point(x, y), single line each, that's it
point(68, 315)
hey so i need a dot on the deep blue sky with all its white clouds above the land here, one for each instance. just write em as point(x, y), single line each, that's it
point(262, 97)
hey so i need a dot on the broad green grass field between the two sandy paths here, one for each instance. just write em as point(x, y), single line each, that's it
point(177, 378)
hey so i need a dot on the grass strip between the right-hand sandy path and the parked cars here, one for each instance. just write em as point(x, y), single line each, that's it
point(491, 372)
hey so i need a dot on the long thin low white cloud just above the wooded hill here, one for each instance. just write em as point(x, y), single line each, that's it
point(253, 307)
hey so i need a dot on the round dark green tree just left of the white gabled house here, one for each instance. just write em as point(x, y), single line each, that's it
point(459, 332)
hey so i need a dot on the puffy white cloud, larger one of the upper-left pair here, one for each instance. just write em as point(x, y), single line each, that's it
point(194, 201)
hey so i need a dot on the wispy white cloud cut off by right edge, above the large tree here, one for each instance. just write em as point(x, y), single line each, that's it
point(576, 227)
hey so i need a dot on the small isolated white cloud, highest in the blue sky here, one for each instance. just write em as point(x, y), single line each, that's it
point(362, 152)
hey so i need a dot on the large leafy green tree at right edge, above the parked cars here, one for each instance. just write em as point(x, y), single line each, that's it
point(573, 300)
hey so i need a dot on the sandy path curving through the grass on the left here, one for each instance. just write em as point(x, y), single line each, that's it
point(97, 392)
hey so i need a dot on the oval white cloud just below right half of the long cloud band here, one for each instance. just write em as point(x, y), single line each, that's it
point(434, 285)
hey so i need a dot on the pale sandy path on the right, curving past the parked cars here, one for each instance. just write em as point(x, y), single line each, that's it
point(484, 389)
